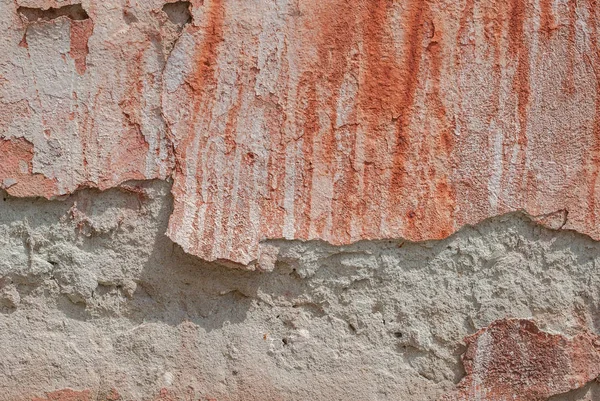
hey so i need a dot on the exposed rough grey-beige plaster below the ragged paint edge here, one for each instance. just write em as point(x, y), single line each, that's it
point(95, 298)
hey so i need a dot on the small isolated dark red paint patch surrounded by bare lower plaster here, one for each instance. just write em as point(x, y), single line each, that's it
point(512, 359)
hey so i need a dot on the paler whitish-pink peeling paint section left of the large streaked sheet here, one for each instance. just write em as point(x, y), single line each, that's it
point(90, 79)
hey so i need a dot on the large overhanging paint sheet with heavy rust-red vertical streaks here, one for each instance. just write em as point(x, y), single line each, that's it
point(350, 120)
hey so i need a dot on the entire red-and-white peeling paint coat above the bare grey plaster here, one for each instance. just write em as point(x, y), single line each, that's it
point(334, 120)
